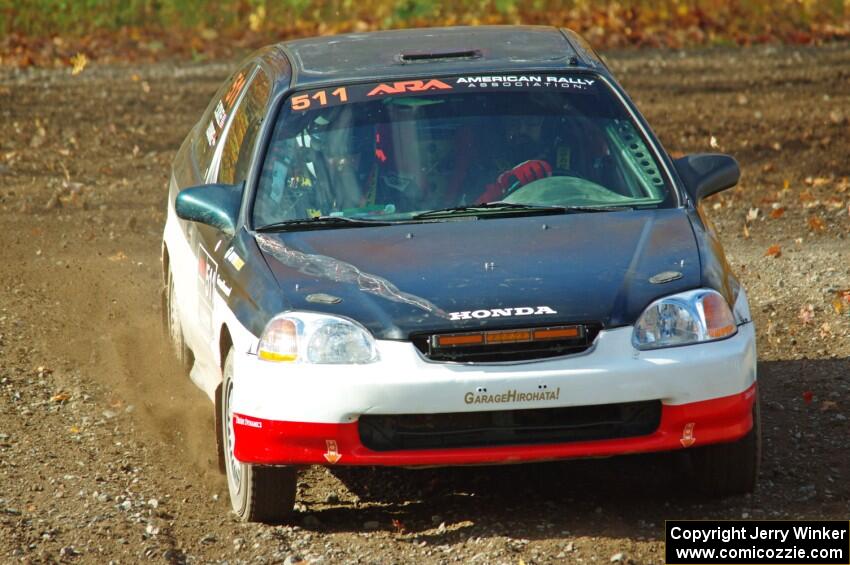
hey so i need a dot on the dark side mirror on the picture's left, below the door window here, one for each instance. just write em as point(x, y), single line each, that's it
point(215, 205)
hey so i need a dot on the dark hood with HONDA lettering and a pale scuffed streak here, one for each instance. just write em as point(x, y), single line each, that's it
point(493, 272)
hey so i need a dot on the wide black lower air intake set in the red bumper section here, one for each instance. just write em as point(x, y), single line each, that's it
point(509, 427)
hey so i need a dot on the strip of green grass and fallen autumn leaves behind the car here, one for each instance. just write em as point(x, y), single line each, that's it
point(44, 31)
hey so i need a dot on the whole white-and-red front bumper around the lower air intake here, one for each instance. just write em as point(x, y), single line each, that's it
point(307, 414)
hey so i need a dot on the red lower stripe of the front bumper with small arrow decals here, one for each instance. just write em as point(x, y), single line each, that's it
point(273, 442)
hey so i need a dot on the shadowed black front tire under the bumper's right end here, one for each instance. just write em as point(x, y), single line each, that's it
point(728, 469)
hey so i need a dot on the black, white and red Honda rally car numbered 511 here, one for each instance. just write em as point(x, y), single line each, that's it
point(451, 246)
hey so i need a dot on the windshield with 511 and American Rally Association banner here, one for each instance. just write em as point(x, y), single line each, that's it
point(391, 151)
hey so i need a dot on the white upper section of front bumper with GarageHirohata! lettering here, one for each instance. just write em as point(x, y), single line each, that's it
point(403, 382)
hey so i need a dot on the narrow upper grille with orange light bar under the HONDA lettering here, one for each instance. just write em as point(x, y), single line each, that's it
point(526, 350)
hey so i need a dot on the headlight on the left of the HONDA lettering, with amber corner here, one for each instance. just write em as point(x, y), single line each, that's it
point(306, 337)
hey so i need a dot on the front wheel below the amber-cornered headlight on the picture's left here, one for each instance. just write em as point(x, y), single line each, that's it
point(257, 493)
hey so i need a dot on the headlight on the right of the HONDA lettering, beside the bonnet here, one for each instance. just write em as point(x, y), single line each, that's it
point(690, 317)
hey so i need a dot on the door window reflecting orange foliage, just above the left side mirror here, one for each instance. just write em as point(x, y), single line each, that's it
point(241, 135)
